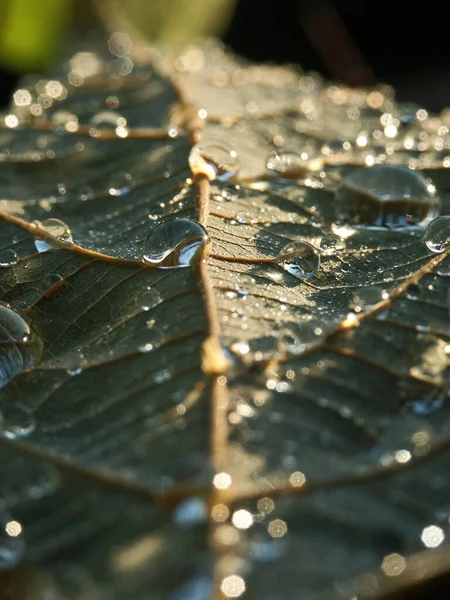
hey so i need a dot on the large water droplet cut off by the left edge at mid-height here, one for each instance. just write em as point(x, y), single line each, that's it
point(20, 347)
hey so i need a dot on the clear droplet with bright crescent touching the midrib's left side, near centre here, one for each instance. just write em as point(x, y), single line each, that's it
point(174, 243)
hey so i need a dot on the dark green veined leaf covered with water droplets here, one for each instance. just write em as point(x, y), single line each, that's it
point(227, 428)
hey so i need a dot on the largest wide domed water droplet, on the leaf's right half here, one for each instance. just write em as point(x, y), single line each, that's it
point(386, 196)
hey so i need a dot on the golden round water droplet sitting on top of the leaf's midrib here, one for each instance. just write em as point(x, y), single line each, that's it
point(215, 159)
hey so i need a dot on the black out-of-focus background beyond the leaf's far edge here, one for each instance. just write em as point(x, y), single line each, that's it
point(354, 41)
